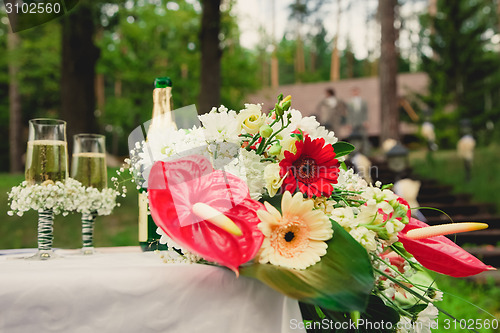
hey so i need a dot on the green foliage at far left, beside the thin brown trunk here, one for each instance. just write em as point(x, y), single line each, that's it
point(38, 59)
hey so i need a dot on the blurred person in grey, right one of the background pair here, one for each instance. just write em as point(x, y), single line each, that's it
point(357, 117)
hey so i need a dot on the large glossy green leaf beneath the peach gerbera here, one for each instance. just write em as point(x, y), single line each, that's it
point(341, 281)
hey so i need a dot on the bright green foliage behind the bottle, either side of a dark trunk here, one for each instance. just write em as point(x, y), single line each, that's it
point(148, 40)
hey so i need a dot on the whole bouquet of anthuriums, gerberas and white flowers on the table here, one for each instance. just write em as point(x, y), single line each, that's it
point(269, 197)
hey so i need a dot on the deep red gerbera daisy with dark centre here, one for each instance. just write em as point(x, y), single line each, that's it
point(313, 169)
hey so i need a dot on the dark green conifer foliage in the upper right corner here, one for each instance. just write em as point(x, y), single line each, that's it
point(463, 69)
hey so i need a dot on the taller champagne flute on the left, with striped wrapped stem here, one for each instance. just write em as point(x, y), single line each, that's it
point(46, 162)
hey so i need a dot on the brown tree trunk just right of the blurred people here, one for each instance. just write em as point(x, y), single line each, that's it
point(388, 72)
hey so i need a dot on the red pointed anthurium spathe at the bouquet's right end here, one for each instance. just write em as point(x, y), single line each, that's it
point(440, 254)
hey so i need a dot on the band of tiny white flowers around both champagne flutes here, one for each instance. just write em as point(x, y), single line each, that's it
point(61, 198)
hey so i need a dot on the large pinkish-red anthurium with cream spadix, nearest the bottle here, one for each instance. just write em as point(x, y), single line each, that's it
point(208, 212)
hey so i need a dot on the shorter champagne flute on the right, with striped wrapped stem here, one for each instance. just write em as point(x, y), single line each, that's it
point(89, 167)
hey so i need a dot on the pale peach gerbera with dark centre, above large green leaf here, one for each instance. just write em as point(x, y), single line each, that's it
point(297, 237)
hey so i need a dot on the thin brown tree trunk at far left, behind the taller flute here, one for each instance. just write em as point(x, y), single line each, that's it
point(15, 111)
